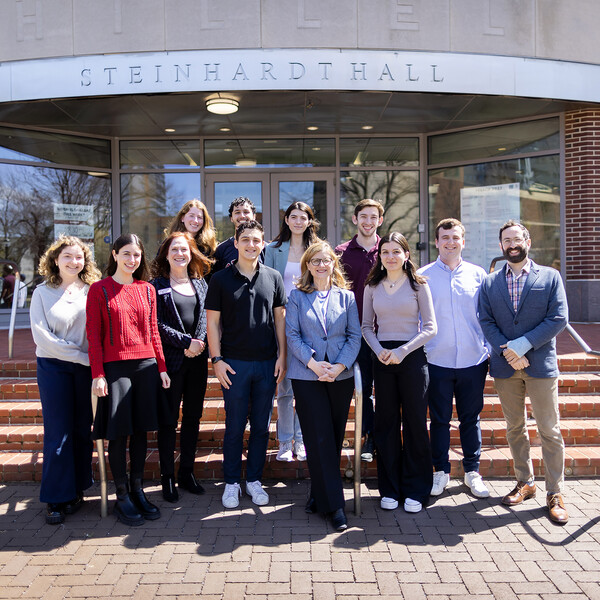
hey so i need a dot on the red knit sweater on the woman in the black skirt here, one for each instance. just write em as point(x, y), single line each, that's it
point(121, 324)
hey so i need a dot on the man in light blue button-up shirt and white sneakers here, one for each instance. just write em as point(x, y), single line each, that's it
point(457, 357)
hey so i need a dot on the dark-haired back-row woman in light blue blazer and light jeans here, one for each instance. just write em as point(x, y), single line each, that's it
point(298, 232)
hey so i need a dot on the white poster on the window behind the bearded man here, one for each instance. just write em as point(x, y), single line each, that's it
point(483, 210)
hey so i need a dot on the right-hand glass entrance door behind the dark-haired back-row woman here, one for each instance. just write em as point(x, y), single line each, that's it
point(316, 190)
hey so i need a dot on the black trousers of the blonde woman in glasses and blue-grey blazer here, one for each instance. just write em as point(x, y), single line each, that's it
point(323, 411)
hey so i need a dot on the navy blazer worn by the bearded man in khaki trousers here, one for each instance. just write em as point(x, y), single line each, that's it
point(541, 315)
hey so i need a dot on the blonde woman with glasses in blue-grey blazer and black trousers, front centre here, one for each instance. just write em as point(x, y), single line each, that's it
point(323, 336)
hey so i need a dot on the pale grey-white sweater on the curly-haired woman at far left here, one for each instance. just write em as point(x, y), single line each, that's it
point(58, 324)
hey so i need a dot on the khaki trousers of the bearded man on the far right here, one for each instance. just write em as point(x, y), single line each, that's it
point(543, 393)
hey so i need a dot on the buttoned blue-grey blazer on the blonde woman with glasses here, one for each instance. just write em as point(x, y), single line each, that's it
point(308, 336)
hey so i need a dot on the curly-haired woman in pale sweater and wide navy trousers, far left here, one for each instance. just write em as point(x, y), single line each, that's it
point(64, 377)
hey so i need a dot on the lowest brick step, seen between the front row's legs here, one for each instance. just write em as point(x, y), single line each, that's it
point(581, 461)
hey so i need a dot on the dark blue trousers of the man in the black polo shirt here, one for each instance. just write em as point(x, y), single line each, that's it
point(250, 393)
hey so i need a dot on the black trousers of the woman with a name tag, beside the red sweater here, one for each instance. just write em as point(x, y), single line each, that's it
point(188, 388)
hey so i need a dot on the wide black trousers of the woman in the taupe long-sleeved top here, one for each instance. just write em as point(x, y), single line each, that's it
point(404, 465)
